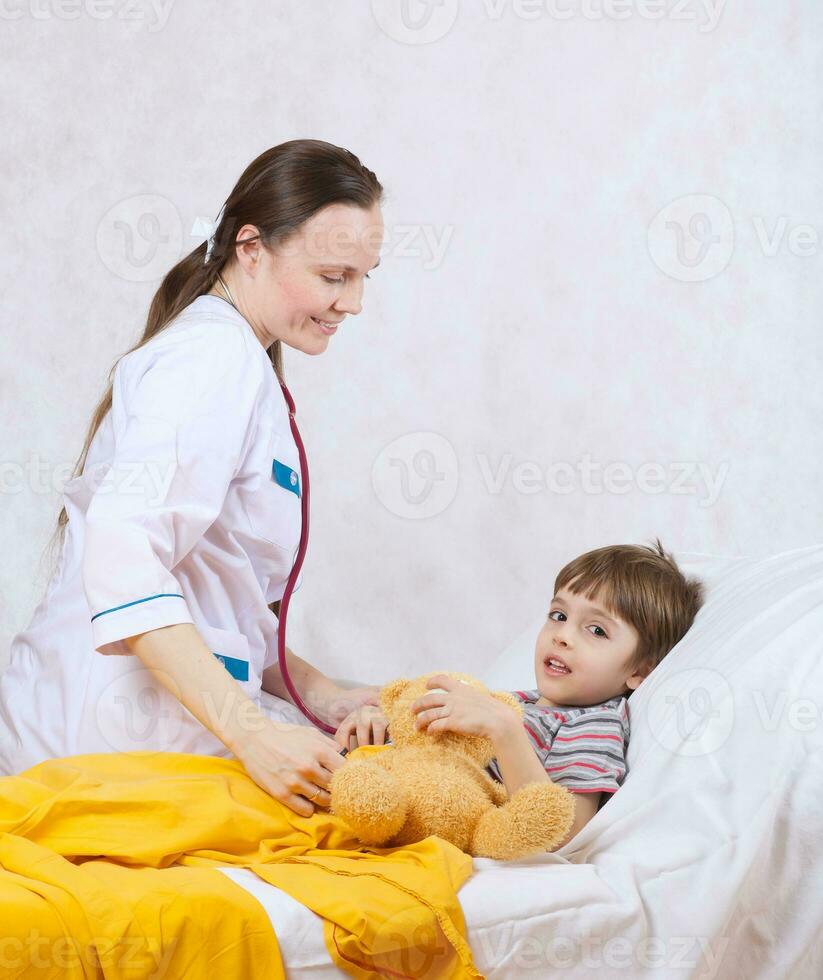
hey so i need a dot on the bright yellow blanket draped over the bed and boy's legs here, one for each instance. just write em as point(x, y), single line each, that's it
point(107, 868)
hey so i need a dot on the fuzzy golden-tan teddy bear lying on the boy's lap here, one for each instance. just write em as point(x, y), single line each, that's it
point(424, 784)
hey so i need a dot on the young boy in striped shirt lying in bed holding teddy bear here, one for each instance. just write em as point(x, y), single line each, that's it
point(616, 612)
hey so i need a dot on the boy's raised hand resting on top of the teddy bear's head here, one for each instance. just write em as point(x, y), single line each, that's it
point(462, 708)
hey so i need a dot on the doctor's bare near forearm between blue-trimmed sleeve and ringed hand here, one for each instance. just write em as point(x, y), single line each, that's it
point(181, 661)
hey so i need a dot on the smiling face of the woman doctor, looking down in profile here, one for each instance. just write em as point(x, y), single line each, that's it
point(301, 290)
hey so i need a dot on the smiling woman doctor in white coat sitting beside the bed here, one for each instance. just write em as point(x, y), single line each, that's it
point(156, 631)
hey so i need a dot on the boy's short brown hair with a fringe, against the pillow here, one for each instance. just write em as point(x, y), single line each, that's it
point(642, 586)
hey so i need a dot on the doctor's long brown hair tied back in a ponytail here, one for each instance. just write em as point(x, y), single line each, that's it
point(278, 191)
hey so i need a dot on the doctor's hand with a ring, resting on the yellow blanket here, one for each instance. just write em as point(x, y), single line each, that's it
point(292, 763)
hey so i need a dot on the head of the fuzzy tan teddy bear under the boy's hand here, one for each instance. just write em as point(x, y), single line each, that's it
point(397, 697)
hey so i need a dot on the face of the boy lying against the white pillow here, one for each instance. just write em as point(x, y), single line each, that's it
point(595, 646)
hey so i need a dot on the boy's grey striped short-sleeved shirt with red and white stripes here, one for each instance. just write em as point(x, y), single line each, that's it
point(581, 748)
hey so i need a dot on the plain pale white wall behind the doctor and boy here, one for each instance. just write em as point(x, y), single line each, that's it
point(604, 227)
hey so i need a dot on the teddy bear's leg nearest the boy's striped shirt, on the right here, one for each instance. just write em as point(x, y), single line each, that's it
point(536, 818)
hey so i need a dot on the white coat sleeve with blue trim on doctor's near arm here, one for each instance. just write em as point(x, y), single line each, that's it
point(181, 426)
